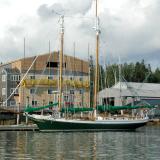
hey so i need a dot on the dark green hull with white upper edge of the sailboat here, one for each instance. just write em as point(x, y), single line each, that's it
point(78, 125)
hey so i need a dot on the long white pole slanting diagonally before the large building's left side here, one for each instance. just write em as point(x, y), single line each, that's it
point(22, 79)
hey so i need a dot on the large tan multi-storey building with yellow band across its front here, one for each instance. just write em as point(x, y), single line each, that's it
point(40, 86)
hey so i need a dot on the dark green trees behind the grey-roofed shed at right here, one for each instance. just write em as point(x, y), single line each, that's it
point(131, 72)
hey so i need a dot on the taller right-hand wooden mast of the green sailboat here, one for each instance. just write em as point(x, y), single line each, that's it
point(97, 58)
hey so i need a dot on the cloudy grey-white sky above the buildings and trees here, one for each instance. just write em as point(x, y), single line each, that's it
point(130, 29)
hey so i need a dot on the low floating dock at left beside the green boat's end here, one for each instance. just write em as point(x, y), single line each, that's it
point(18, 127)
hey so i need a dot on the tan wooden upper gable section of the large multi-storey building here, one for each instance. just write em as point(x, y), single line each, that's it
point(70, 64)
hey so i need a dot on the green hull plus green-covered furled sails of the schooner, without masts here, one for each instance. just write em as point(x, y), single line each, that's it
point(55, 122)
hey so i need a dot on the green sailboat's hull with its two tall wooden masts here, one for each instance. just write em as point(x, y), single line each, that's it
point(57, 123)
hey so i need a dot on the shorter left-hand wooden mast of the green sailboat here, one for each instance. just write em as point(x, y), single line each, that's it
point(61, 62)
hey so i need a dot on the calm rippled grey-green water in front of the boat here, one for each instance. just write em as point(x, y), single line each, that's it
point(141, 145)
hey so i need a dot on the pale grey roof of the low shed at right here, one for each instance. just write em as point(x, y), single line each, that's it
point(130, 89)
